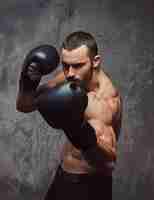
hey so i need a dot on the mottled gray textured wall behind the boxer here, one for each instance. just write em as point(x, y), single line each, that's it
point(30, 150)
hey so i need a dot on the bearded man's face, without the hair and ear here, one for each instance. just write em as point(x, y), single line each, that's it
point(77, 64)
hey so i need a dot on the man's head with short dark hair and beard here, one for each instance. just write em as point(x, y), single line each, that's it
point(80, 56)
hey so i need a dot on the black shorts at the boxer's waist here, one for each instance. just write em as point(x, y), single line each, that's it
point(79, 186)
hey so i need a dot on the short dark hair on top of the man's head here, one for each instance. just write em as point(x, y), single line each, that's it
point(79, 38)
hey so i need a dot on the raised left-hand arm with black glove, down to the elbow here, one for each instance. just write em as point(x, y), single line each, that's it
point(40, 61)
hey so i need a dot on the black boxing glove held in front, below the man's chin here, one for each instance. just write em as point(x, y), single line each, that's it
point(63, 107)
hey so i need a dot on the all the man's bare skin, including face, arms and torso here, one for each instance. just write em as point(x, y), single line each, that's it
point(103, 110)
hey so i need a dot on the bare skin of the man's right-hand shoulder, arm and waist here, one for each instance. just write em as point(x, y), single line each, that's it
point(102, 111)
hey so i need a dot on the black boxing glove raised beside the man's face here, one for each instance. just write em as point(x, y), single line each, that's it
point(39, 61)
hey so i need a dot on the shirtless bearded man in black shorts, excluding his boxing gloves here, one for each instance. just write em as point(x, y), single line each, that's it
point(83, 175)
